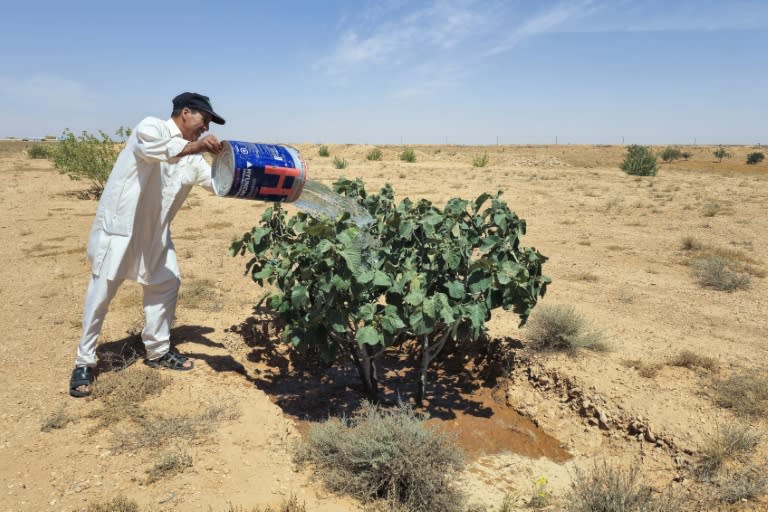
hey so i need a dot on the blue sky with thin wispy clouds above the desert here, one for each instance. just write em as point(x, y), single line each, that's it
point(395, 71)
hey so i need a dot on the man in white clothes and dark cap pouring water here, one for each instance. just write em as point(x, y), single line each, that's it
point(131, 237)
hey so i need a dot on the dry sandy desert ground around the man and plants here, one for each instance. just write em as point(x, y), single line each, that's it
point(614, 244)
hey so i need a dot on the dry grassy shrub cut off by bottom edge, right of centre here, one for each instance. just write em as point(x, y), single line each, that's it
point(611, 489)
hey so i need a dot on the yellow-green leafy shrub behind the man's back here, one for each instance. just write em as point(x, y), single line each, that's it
point(87, 157)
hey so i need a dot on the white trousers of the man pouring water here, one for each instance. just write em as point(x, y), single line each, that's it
point(159, 309)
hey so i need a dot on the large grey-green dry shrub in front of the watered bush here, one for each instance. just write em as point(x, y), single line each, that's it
point(390, 455)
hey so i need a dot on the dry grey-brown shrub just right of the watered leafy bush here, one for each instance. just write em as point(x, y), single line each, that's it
point(560, 328)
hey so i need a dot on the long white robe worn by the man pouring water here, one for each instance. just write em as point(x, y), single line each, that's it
point(131, 235)
